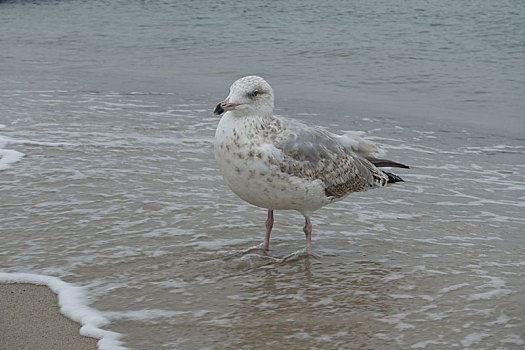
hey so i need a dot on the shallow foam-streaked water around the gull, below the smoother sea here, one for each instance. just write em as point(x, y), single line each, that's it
point(132, 206)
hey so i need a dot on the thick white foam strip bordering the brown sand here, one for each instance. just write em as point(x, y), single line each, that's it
point(73, 304)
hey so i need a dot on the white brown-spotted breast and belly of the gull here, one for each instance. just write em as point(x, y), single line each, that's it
point(250, 166)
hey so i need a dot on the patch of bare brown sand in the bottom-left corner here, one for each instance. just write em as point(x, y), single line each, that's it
point(31, 319)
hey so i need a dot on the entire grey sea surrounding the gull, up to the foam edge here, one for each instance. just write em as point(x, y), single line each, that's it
point(108, 179)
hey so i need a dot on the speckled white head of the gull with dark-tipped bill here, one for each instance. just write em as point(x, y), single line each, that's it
point(249, 95)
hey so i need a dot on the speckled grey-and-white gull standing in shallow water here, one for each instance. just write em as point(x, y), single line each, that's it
point(280, 164)
